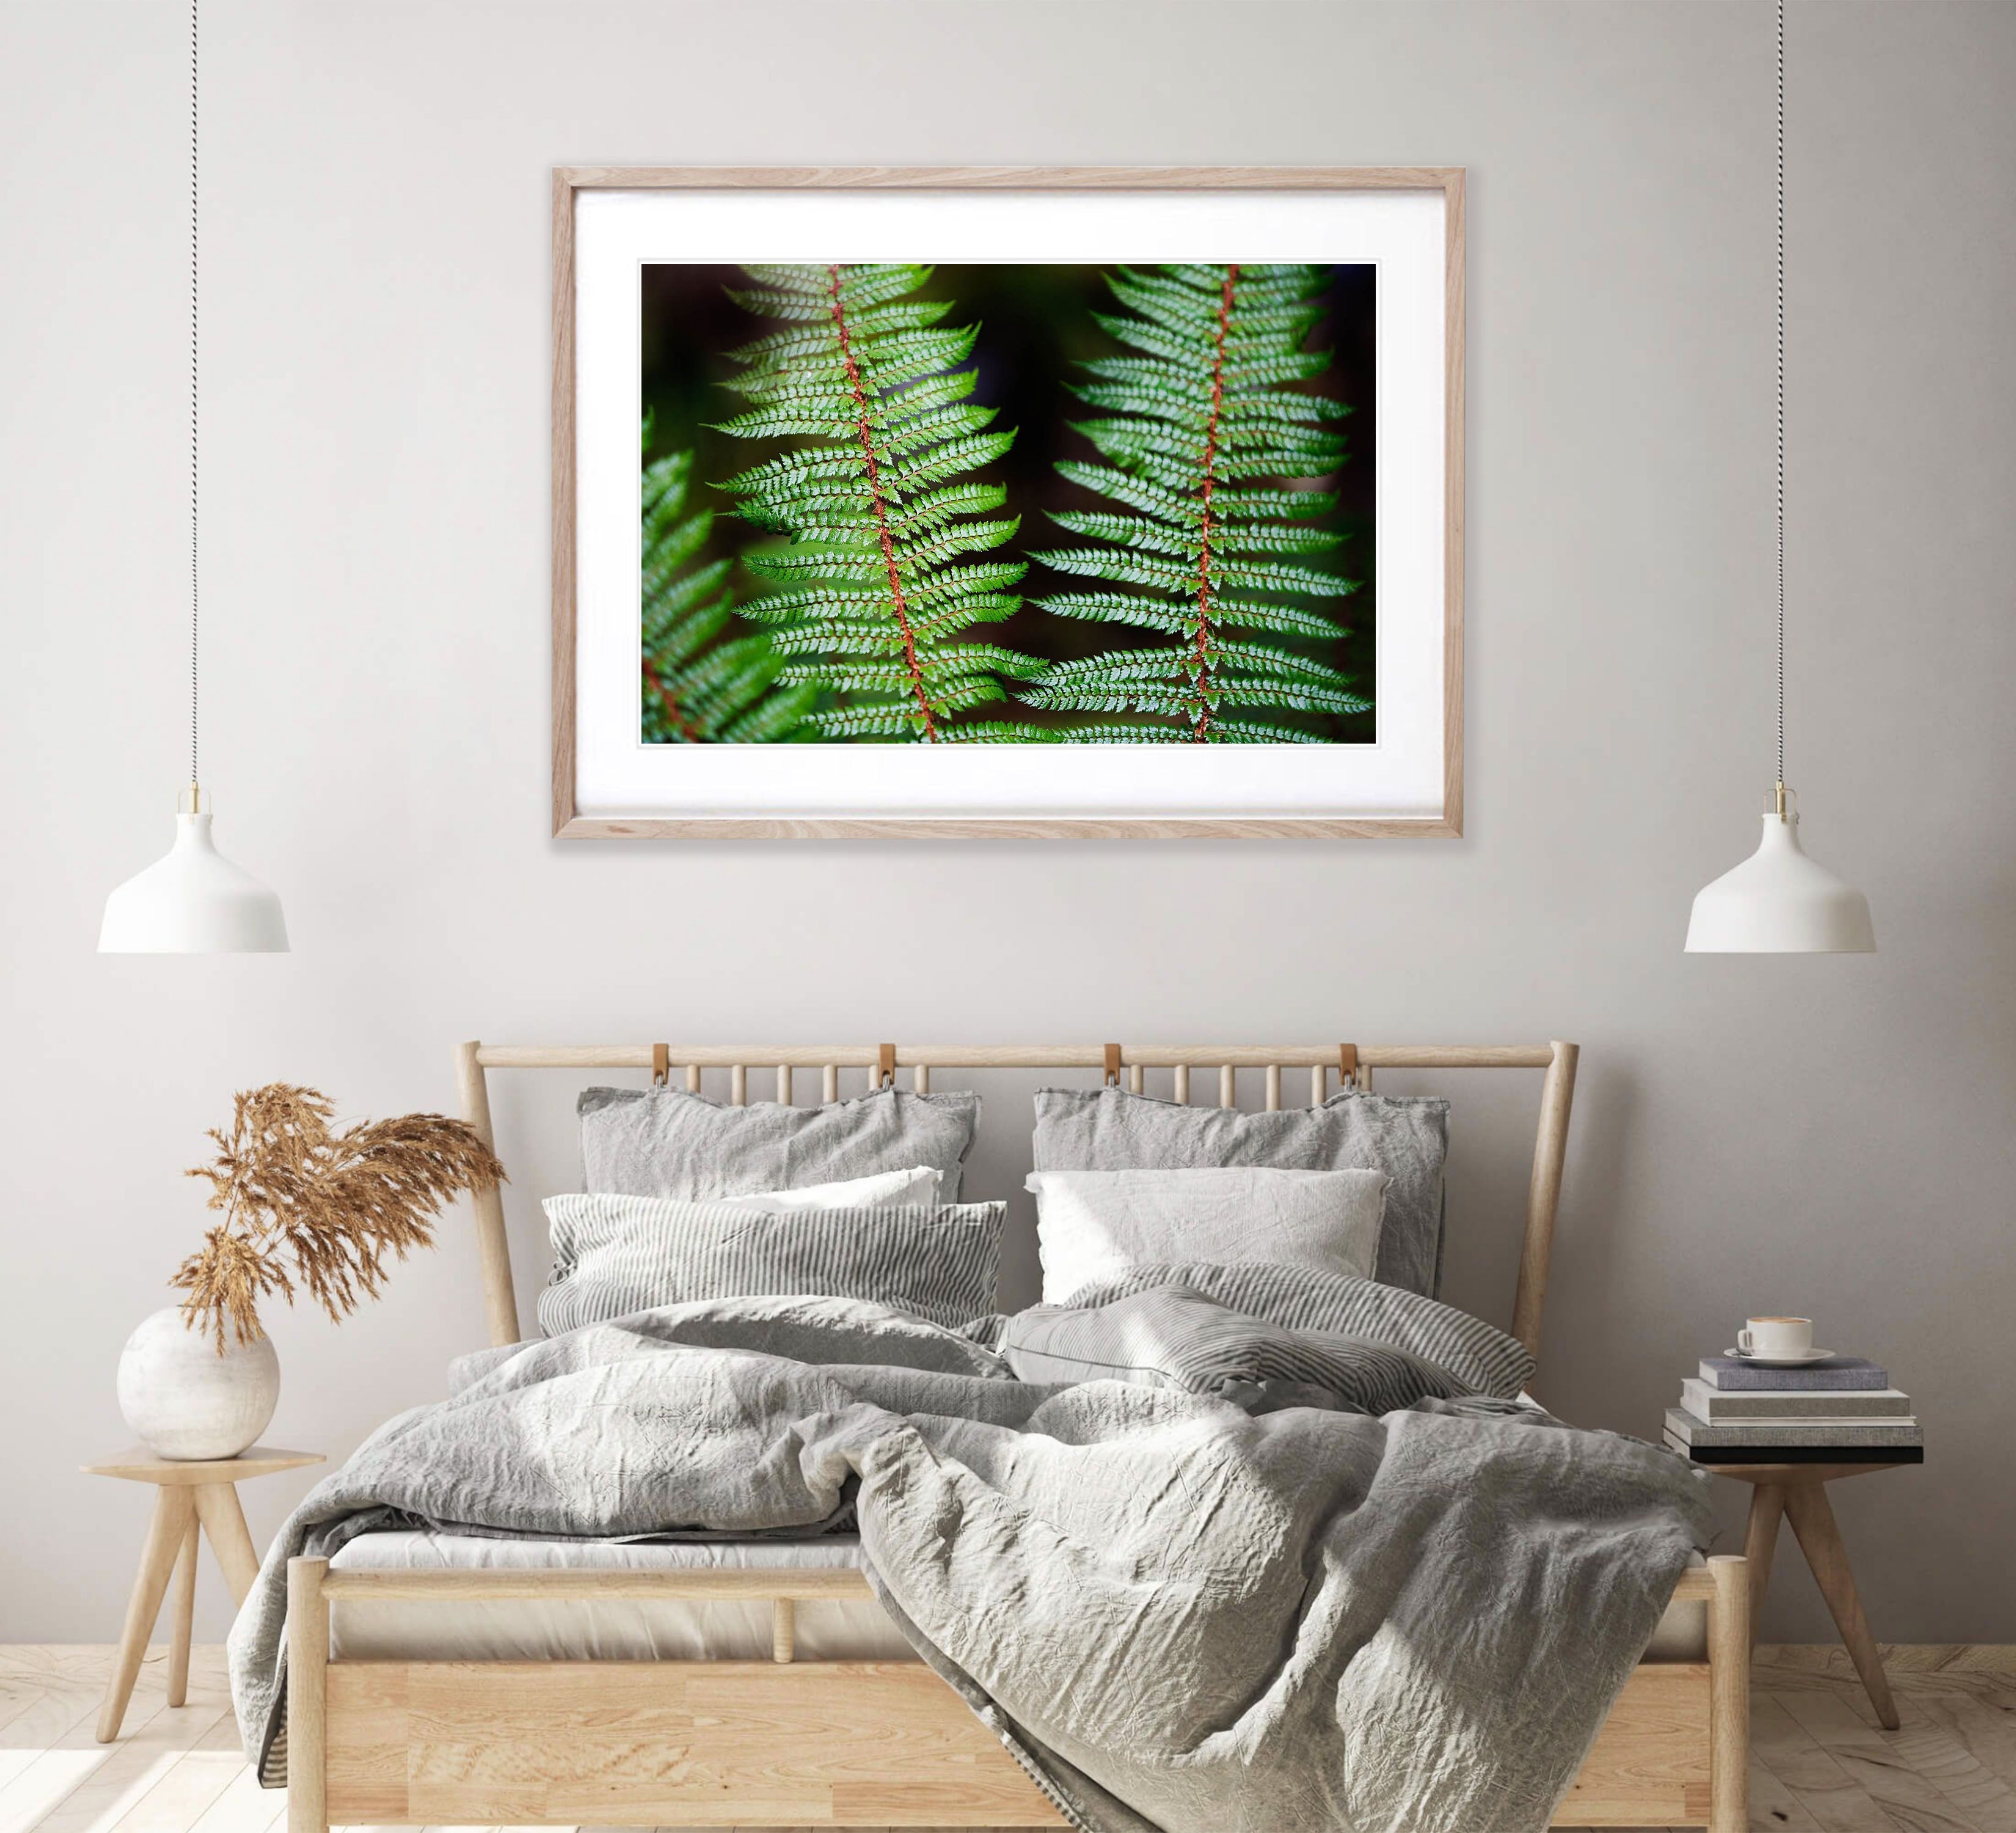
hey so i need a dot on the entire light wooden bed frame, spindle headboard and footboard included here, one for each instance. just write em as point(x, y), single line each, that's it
point(870, 1743)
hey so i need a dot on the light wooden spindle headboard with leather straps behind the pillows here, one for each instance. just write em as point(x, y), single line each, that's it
point(1354, 1066)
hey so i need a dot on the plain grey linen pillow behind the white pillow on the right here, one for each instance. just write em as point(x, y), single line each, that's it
point(1404, 1136)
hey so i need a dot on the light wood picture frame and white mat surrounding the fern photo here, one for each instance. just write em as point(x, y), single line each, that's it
point(612, 225)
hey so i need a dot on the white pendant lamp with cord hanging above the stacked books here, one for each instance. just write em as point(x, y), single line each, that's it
point(1779, 900)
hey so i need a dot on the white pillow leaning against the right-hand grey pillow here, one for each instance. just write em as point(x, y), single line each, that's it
point(1096, 1225)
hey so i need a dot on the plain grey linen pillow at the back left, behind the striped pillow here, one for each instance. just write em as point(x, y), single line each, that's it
point(664, 1142)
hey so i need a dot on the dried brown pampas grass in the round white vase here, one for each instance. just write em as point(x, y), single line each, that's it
point(320, 1209)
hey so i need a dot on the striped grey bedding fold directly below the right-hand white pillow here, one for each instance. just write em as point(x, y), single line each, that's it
point(1483, 1358)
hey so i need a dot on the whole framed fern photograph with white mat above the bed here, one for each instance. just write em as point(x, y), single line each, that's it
point(1007, 503)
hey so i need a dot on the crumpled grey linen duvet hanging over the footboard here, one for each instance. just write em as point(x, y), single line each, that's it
point(1172, 1612)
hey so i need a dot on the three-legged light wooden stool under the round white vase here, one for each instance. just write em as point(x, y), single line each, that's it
point(191, 1499)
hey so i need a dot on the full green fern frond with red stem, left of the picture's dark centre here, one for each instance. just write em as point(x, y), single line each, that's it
point(880, 588)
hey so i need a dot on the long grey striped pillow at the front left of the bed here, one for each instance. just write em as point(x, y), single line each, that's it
point(614, 1255)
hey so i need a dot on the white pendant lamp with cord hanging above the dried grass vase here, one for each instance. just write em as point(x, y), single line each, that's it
point(193, 900)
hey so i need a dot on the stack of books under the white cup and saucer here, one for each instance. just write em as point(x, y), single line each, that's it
point(1842, 1411)
